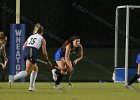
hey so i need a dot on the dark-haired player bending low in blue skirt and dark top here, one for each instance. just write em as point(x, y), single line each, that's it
point(62, 57)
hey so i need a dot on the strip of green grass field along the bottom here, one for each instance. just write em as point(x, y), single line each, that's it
point(80, 91)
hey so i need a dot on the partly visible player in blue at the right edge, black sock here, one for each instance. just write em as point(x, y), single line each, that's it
point(136, 76)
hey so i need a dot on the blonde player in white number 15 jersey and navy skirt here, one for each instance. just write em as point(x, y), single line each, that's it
point(31, 47)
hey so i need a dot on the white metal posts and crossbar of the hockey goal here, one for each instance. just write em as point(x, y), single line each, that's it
point(126, 33)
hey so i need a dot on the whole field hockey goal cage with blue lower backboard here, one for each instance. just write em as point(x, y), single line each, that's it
point(127, 40)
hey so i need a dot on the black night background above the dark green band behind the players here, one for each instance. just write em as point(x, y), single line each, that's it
point(92, 20)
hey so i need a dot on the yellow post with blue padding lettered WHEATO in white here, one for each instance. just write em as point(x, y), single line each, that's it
point(17, 39)
